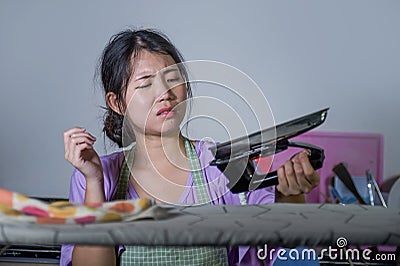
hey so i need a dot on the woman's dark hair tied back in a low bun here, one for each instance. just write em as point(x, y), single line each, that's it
point(116, 68)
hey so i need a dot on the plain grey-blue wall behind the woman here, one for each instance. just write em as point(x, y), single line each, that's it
point(305, 55)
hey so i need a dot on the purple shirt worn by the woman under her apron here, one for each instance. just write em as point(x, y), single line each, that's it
point(216, 184)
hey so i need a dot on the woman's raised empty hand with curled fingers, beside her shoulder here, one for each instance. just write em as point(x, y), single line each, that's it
point(80, 153)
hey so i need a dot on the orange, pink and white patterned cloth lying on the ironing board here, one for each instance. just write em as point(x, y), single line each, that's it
point(18, 207)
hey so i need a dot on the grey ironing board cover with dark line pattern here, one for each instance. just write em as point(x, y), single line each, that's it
point(275, 224)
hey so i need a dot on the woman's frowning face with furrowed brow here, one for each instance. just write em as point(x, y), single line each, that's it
point(156, 95)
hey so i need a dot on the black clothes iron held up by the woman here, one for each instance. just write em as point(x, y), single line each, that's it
point(235, 158)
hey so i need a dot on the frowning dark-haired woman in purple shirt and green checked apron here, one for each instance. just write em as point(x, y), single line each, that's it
point(145, 84)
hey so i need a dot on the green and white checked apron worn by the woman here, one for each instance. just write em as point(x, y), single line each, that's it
point(162, 255)
